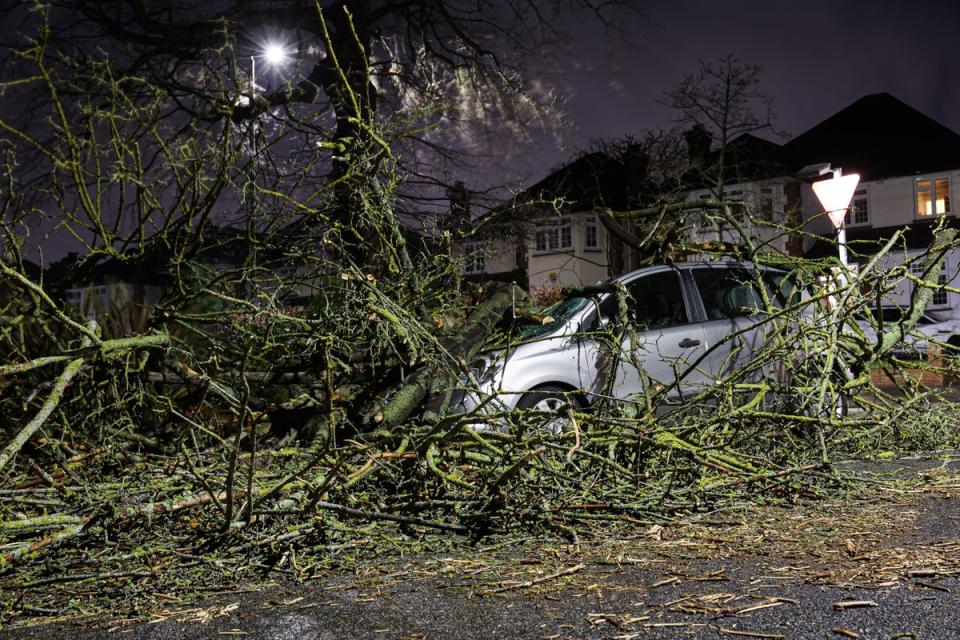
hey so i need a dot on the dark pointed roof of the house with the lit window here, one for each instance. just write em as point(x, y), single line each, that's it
point(878, 136)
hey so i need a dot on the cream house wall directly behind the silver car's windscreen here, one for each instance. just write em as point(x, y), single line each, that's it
point(576, 265)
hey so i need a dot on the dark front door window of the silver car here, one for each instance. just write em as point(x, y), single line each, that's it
point(656, 301)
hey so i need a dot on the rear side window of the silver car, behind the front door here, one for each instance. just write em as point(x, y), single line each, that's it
point(732, 293)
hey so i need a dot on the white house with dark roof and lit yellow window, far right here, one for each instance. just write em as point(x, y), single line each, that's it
point(909, 168)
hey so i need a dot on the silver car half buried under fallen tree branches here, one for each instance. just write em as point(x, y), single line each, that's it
point(693, 324)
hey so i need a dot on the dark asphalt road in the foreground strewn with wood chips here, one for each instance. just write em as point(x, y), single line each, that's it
point(884, 568)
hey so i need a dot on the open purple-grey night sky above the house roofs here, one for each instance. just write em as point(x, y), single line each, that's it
point(818, 57)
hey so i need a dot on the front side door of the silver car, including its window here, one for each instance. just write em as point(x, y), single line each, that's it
point(662, 346)
